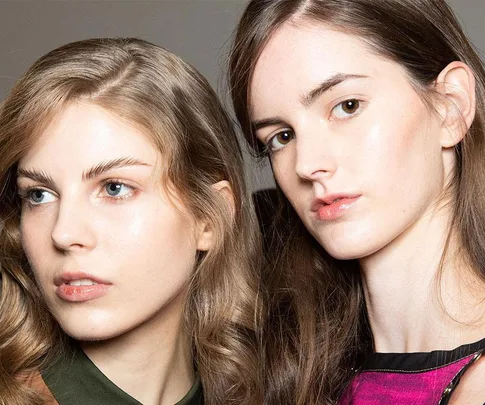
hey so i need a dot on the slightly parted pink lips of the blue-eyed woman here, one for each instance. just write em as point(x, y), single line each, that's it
point(80, 293)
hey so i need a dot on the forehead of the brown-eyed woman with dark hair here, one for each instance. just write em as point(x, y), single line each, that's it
point(300, 56)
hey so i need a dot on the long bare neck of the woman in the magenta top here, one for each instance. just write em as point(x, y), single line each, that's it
point(420, 295)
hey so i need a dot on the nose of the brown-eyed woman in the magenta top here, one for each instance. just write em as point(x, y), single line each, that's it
point(315, 156)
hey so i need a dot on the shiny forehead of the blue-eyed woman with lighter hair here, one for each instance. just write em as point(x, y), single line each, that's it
point(84, 134)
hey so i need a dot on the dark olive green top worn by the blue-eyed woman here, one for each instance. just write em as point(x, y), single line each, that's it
point(75, 380)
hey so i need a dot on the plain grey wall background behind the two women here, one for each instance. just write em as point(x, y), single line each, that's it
point(197, 30)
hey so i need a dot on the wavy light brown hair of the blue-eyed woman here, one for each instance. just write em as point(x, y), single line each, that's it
point(155, 90)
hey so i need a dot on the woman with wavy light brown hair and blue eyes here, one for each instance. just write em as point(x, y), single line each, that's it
point(127, 235)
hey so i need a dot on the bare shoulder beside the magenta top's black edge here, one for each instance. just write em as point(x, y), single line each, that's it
point(471, 389)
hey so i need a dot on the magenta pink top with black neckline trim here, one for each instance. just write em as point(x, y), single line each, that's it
point(411, 378)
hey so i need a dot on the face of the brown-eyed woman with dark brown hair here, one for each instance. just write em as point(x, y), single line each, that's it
point(353, 146)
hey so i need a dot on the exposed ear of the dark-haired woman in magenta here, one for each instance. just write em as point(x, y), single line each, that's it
point(456, 83)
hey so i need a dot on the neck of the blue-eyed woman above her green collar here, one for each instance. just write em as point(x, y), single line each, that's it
point(152, 363)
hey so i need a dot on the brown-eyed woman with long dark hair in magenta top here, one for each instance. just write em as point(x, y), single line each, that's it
point(372, 114)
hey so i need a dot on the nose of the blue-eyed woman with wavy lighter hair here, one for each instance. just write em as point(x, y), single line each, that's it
point(73, 229)
